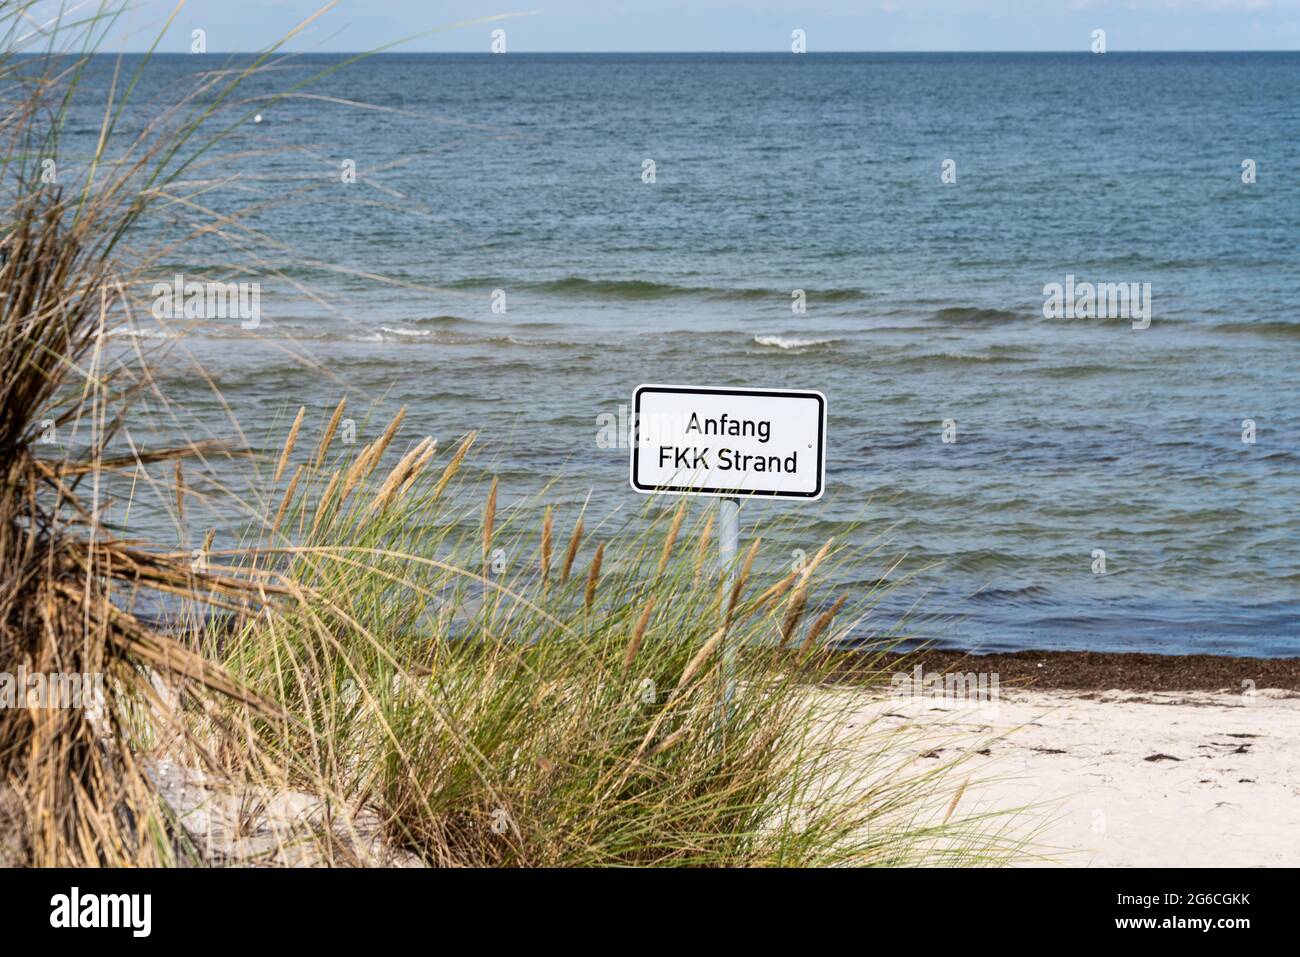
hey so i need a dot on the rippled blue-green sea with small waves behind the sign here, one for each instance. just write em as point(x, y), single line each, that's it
point(925, 301)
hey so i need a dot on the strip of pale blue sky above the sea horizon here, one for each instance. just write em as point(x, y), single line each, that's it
point(726, 25)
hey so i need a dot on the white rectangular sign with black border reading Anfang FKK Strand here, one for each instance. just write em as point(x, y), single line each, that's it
point(694, 441)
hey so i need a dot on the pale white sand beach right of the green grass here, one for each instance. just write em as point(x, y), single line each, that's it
point(1130, 780)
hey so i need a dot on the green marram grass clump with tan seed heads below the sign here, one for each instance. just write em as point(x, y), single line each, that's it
point(626, 708)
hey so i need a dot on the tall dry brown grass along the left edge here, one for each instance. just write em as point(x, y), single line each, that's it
point(67, 584)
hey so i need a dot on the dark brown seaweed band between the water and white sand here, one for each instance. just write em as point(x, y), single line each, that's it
point(1094, 672)
